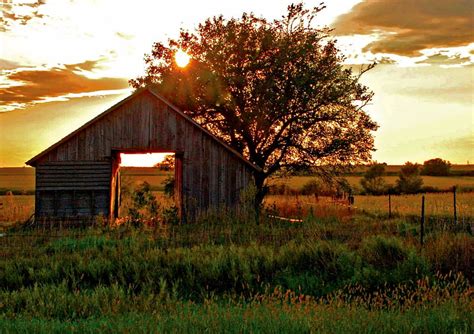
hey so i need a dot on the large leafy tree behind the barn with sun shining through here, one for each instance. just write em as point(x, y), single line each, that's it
point(277, 92)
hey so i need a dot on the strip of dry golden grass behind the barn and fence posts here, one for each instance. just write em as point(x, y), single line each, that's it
point(16, 208)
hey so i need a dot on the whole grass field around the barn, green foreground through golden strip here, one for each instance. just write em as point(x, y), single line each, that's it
point(335, 269)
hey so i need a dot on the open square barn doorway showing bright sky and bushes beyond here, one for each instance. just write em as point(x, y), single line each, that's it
point(146, 185)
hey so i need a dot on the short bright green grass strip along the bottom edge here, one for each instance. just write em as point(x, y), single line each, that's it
point(447, 317)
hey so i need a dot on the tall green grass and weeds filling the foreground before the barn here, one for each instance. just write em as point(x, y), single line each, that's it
point(126, 280)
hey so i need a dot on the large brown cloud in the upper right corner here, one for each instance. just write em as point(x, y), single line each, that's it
point(408, 26)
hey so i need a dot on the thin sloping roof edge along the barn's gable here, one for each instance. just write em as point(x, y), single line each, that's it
point(33, 160)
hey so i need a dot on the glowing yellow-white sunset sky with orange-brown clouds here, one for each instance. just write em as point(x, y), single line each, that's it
point(62, 62)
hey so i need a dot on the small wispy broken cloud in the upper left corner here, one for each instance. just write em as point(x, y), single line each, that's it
point(9, 15)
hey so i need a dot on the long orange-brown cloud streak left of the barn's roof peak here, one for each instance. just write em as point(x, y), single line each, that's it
point(37, 85)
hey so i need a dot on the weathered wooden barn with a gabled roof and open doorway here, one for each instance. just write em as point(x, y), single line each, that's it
point(78, 176)
